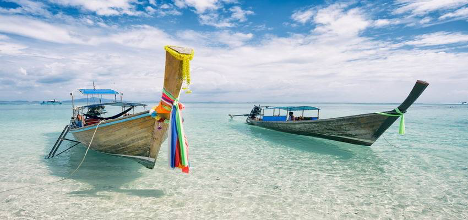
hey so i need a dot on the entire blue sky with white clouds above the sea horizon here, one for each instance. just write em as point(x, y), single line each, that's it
point(245, 51)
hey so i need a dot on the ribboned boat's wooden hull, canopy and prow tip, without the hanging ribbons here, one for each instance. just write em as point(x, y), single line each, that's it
point(137, 136)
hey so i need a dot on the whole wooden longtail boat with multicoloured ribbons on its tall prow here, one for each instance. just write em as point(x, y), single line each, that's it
point(137, 136)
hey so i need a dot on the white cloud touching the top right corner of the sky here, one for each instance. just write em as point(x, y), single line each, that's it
point(422, 7)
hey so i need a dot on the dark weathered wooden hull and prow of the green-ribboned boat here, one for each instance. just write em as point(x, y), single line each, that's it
point(362, 129)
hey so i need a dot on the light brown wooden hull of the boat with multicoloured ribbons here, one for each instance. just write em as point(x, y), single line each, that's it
point(130, 137)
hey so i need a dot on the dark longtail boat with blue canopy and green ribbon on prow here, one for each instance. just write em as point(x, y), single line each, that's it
point(363, 129)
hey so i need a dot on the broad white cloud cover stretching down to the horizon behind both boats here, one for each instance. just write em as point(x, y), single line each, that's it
point(335, 59)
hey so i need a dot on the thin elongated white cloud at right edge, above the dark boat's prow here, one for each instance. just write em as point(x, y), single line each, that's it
point(439, 38)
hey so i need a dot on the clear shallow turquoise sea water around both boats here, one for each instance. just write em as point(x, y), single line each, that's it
point(242, 172)
